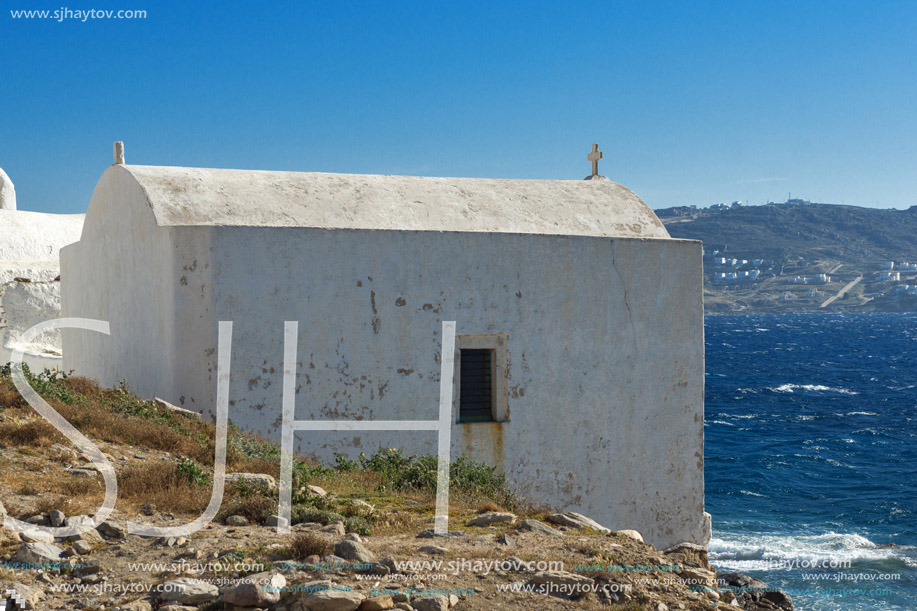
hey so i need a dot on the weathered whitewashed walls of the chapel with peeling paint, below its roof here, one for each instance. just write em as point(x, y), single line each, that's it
point(605, 343)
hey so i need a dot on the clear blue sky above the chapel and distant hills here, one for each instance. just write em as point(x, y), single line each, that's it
point(691, 102)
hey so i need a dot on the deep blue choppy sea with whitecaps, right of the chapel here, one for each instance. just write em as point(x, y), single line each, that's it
point(811, 455)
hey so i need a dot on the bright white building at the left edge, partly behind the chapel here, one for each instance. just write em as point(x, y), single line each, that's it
point(30, 276)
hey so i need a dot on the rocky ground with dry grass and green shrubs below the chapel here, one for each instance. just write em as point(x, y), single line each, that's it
point(358, 543)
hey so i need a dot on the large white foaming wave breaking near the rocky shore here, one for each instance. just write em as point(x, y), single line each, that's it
point(773, 552)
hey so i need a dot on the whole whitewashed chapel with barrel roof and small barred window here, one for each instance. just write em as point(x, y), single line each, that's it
point(589, 315)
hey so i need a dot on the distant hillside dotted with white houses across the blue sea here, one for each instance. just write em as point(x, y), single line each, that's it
point(802, 257)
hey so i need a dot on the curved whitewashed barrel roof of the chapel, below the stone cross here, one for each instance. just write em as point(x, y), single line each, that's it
point(211, 197)
